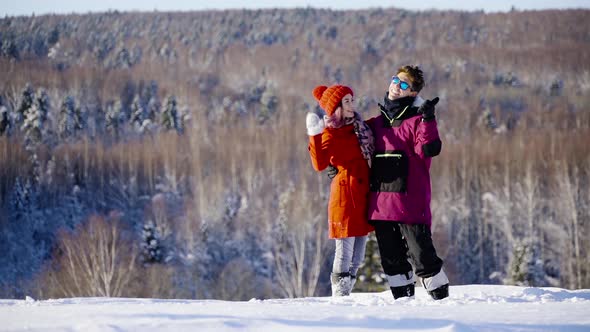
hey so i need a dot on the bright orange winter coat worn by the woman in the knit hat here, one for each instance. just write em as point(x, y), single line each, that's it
point(347, 209)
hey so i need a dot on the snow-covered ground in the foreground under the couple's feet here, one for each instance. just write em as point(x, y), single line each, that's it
point(469, 308)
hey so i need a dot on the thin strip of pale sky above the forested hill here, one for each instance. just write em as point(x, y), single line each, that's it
point(39, 7)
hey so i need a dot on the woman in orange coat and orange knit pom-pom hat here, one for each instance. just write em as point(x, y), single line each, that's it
point(342, 139)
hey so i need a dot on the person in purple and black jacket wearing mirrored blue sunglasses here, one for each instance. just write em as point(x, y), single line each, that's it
point(406, 139)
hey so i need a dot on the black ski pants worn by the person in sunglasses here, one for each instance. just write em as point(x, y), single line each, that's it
point(398, 242)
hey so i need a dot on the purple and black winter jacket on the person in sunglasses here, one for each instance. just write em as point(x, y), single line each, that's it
point(400, 174)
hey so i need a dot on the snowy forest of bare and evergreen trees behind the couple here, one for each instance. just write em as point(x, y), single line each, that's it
point(165, 154)
